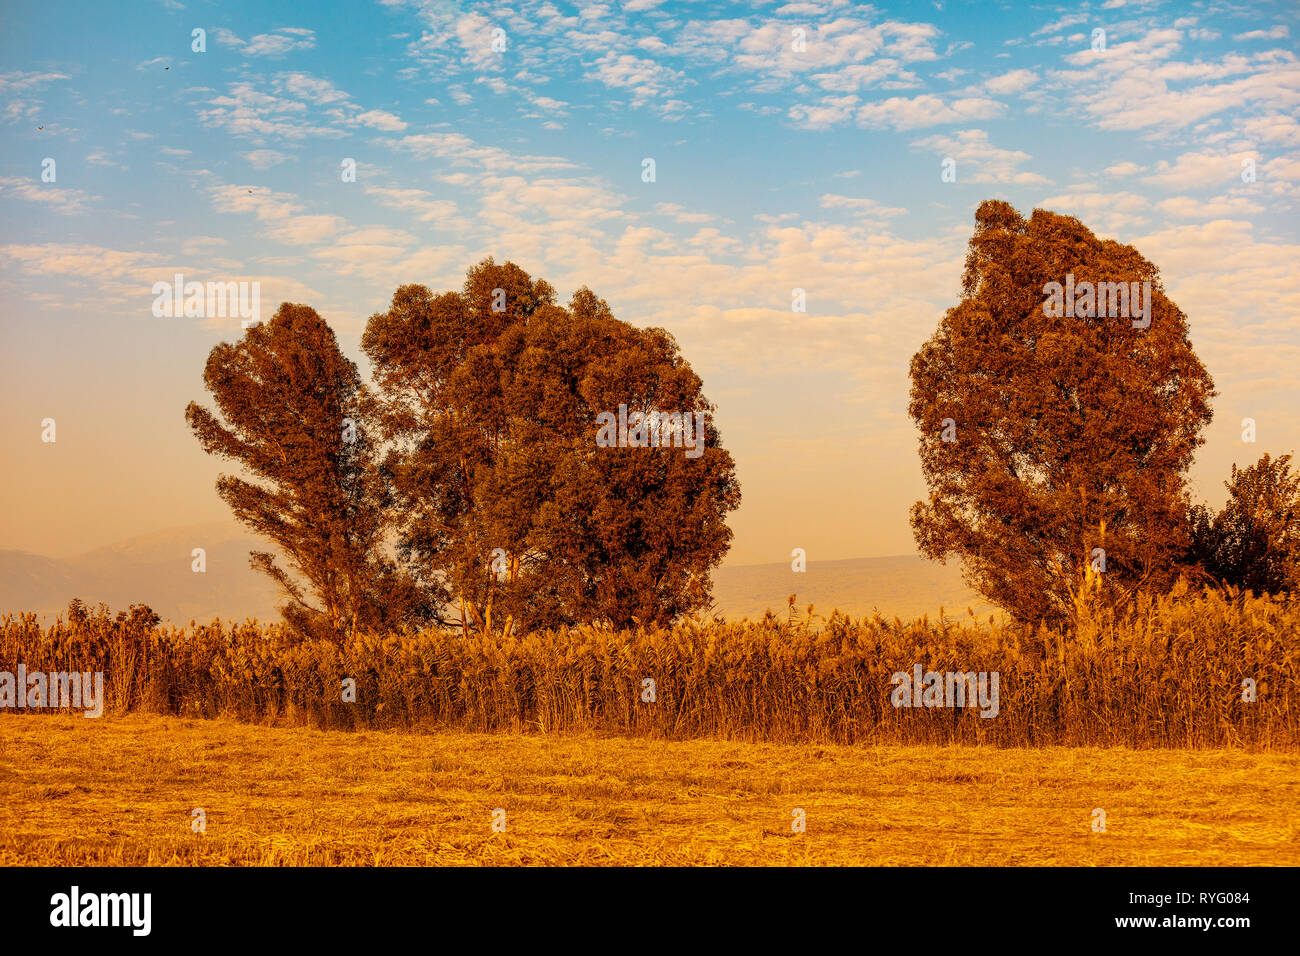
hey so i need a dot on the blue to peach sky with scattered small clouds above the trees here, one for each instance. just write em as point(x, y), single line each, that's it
point(795, 146)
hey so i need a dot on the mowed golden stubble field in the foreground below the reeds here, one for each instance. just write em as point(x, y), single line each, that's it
point(122, 790)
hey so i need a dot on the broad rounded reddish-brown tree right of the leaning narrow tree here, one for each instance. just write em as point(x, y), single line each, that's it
point(491, 400)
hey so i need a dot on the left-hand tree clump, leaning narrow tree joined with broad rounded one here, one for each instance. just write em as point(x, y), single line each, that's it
point(519, 464)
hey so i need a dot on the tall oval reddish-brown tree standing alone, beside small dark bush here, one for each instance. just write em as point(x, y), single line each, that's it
point(1055, 443)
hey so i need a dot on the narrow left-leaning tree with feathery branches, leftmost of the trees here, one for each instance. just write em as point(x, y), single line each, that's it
point(291, 413)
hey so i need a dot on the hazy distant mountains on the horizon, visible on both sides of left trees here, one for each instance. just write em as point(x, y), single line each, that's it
point(155, 570)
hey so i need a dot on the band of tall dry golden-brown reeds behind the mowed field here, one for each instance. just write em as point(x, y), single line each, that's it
point(1165, 674)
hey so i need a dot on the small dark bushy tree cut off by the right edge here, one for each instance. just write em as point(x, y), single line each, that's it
point(1255, 542)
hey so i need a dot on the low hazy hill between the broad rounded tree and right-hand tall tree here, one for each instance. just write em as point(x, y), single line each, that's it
point(903, 586)
